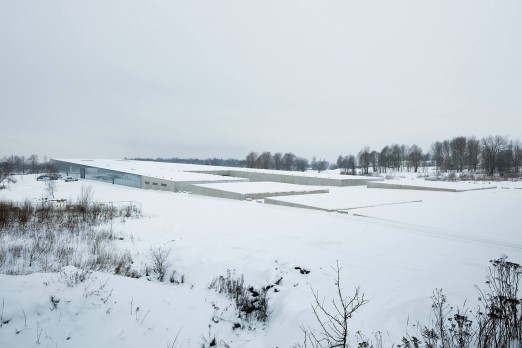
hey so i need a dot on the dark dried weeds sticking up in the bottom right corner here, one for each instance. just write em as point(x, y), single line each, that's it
point(497, 322)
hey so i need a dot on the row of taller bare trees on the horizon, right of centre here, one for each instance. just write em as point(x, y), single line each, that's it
point(490, 155)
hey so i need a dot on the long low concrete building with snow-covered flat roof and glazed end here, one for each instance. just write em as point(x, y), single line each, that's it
point(197, 178)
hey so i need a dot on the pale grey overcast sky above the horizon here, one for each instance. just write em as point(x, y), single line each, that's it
point(109, 79)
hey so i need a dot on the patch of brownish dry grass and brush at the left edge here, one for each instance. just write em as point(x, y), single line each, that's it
point(42, 237)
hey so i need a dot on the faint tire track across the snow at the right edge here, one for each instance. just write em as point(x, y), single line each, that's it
point(437, 232)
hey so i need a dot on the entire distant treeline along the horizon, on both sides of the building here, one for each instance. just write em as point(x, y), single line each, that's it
point(493, 156)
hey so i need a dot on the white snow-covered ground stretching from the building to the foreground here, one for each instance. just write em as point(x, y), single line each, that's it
point(397, 254)
